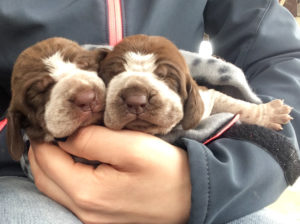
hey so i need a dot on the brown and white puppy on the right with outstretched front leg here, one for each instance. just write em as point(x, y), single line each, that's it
point(150, 89)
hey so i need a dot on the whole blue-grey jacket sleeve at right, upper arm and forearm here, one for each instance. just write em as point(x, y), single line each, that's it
point(232, 178)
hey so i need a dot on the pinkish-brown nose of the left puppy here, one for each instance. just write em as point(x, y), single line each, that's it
point(86, 100)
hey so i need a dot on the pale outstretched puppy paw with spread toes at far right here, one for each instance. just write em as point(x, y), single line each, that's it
point(275, 114)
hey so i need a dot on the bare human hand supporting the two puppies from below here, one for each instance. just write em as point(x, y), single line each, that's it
point(142, 179)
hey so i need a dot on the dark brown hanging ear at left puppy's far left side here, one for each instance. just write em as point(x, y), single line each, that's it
point(14, 136)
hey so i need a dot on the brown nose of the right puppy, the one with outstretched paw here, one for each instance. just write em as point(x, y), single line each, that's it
point(136, 103)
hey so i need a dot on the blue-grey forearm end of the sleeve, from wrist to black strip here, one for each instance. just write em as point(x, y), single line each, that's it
point(230, 179)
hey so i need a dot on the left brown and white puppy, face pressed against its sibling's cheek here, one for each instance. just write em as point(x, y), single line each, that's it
point(55, 90)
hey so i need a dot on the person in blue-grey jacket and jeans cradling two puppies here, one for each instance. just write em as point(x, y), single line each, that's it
point(143, 179)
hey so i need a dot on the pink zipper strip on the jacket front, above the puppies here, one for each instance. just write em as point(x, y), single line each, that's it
point(115, 23)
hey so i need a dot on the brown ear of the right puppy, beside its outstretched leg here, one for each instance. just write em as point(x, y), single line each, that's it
point(193, 107)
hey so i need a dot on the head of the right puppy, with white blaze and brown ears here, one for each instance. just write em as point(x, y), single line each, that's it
point(149, 87)
